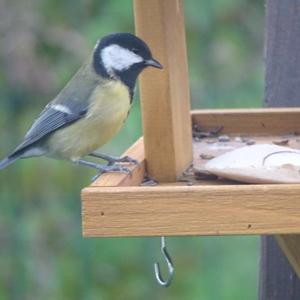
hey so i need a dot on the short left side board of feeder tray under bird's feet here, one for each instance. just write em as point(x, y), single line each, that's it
point(136, 151)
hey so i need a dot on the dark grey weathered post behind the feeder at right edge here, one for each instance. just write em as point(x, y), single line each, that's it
point(278, 280)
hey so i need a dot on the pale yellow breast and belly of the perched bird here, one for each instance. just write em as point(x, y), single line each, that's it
point(109, 107)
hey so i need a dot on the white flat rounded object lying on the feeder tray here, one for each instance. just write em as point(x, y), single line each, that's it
point(265, 163)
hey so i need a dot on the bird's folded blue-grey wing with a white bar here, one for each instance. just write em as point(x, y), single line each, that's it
point(53, 117)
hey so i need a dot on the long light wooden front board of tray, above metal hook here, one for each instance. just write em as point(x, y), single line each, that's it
point(191, 210)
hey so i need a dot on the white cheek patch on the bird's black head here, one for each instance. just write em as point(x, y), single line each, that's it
point(115, 57)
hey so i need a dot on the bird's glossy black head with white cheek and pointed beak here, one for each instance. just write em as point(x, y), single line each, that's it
point(122, 56)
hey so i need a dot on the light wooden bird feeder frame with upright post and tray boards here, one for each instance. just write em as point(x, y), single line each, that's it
point(118, 205)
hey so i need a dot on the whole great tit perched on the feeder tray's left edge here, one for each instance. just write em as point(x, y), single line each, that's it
point(92, 107)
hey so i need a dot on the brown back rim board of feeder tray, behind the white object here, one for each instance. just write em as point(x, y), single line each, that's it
point(251, 121)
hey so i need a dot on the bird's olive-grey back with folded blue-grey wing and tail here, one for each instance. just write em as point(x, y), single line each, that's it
point(69, 106)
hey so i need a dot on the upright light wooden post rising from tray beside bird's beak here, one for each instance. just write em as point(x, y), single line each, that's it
point(165, 94)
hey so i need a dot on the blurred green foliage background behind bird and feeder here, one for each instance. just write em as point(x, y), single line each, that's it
point(42, 254)
